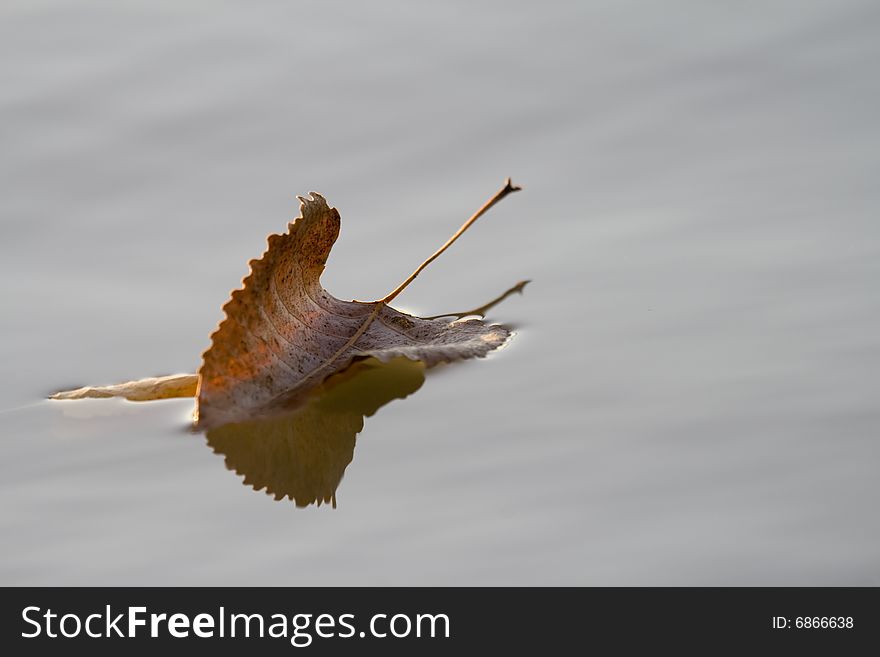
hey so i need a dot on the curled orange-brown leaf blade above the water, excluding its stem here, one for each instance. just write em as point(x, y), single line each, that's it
point(283, 334)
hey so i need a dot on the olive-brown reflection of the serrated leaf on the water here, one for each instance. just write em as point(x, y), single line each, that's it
point(303, 455)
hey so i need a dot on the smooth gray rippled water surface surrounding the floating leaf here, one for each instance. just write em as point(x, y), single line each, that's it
point(691, 395)
